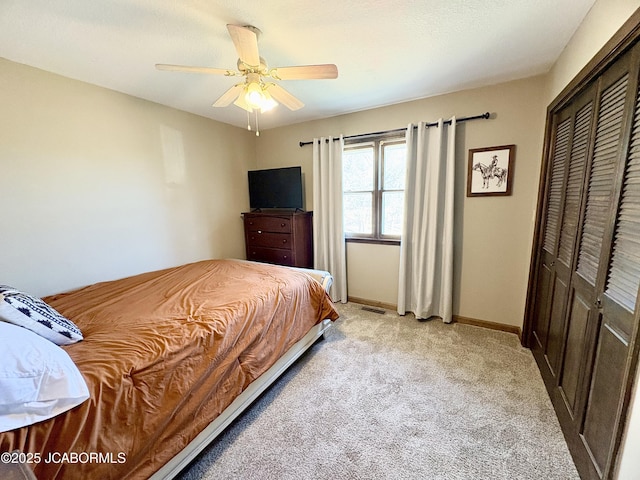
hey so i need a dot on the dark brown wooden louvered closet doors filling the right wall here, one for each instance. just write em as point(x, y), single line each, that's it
point(582, 305)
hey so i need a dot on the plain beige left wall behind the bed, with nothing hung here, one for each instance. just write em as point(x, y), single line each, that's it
point(98, 185)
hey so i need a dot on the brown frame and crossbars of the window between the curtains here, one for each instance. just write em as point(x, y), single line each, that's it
point(378, 143)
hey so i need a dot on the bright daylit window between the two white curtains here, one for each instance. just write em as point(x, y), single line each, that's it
point(373, 179)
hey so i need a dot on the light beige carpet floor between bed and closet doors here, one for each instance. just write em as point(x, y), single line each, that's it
point(389, 397)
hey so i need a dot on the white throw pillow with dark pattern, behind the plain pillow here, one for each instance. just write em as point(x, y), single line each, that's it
point(33, 314)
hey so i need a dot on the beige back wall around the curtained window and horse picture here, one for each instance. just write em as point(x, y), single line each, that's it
point(493, 235)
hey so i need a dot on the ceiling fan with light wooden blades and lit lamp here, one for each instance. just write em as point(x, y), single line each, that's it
point(257, 91)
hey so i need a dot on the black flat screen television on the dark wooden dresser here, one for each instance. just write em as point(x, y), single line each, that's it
point(275, 188)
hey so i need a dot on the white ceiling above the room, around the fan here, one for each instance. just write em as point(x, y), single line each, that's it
point(387, 51)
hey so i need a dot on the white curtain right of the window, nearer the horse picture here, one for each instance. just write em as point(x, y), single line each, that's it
point(425, 285)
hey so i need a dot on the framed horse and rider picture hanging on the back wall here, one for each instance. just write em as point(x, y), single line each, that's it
point(490, 171)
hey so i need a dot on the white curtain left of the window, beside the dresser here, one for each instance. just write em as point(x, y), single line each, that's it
point(328, 229)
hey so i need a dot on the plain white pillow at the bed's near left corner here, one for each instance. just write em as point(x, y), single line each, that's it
point(38, 380)
